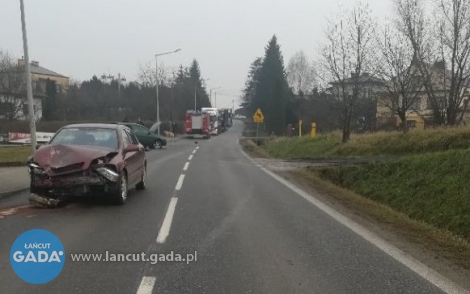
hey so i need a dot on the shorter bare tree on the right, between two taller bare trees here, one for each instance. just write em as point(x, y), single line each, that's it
point(403, 86)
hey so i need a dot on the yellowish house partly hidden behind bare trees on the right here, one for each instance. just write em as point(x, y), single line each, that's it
point(420, 112)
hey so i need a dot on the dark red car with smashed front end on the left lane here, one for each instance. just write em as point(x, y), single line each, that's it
point(105, 160)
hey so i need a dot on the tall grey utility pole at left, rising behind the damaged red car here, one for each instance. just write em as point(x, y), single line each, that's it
point(29, 88)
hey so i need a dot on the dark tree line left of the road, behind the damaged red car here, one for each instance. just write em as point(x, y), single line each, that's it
point(97, 99)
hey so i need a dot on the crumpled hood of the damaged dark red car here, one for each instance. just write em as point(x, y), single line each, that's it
point(57, 156)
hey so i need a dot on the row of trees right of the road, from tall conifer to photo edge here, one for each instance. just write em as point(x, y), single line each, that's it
point(421, 54)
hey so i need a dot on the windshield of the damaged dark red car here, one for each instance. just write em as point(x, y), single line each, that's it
point(87, 136)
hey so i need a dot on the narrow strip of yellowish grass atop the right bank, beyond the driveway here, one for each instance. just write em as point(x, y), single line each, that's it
point(376, 144)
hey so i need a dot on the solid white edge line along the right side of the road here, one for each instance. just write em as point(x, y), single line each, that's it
point(421, 269)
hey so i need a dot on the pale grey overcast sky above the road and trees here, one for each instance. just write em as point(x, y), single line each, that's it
point(82, 38)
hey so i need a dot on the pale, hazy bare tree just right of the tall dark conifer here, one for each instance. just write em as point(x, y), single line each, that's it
point(301, 74)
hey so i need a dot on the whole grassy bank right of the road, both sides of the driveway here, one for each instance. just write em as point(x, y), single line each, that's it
point(423, 198)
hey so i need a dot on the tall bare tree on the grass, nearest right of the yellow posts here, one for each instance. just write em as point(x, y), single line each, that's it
point(348, 54)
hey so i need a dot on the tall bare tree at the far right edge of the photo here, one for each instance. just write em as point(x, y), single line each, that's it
point(454, 36)
